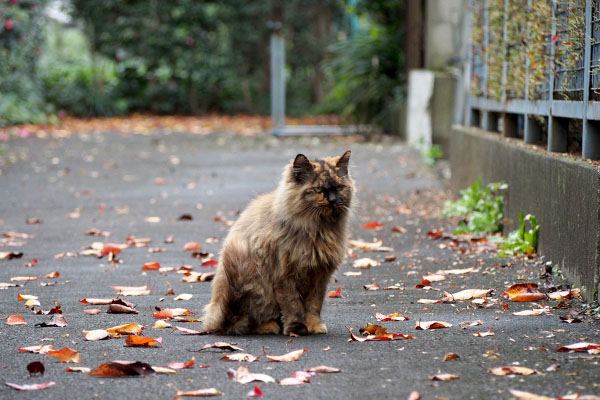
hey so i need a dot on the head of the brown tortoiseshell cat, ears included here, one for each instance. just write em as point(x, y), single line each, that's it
point(324, 186)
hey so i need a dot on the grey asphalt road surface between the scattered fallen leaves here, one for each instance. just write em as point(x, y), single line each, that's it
point(116, 182)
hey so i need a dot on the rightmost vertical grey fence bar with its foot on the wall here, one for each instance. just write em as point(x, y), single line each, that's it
point(591, 135)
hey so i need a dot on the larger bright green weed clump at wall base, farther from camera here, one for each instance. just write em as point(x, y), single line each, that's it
point(483, 208)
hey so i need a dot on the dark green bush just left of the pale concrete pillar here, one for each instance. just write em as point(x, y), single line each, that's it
point(368, 67)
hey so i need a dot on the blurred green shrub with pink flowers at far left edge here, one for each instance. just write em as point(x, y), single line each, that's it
point(21, 36)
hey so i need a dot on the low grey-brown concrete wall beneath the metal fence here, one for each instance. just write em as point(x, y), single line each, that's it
point(563, 194)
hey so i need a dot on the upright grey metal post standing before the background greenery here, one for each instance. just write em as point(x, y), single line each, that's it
point(277, 81)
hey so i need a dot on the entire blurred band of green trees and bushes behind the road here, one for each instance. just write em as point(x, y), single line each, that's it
point(190, 57)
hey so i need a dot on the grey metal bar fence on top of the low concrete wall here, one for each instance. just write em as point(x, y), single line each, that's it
point(535, 72)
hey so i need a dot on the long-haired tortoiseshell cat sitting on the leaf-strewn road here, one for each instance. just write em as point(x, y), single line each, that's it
point(279, 255)
